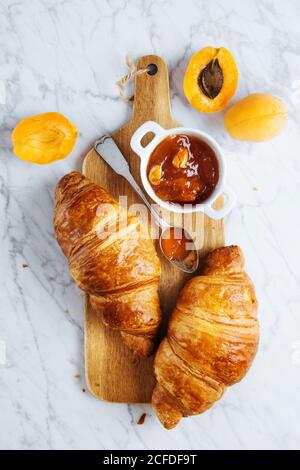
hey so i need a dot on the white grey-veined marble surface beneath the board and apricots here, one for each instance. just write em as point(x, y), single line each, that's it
point(66, 56)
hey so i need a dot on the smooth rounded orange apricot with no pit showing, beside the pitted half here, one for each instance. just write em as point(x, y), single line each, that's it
point(256, 118)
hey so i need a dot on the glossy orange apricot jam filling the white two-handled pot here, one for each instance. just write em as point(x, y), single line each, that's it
point(183, 169)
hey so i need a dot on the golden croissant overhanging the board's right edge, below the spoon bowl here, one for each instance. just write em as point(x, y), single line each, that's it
point(211, 341)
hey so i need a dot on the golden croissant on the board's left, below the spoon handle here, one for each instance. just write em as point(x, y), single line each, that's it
point(119, 268)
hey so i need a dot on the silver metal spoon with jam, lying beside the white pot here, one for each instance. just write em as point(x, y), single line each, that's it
point(107, 149)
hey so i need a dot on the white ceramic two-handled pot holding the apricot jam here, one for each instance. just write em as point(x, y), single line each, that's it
point(144, 153)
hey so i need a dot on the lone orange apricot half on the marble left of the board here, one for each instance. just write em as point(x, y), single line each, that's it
point(44, 138)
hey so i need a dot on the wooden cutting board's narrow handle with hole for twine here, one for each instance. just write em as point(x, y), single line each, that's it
point(148, 86)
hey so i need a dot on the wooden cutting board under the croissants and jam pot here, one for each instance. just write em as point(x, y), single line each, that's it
point(113, 372)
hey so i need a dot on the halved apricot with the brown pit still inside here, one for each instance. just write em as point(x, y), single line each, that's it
point(210, 79)
